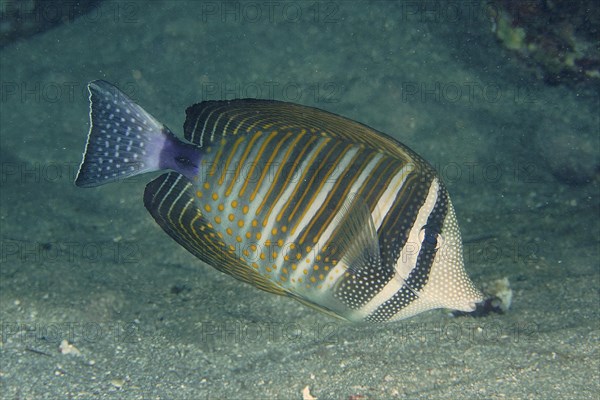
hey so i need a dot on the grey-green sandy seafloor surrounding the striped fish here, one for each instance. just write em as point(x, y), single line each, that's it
point(90, 266)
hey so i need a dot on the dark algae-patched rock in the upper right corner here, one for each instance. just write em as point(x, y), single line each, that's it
point(557, 40)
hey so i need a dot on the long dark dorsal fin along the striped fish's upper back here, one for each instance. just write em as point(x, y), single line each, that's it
point(209, 121)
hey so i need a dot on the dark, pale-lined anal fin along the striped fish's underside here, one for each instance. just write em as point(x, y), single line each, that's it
point(171, 200)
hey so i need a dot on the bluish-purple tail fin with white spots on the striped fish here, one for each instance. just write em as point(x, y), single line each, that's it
point(124, 140)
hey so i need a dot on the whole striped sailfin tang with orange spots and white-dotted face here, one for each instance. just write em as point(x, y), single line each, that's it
point(293, 200)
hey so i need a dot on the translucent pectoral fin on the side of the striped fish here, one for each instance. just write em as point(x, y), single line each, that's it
point(356, 237)
